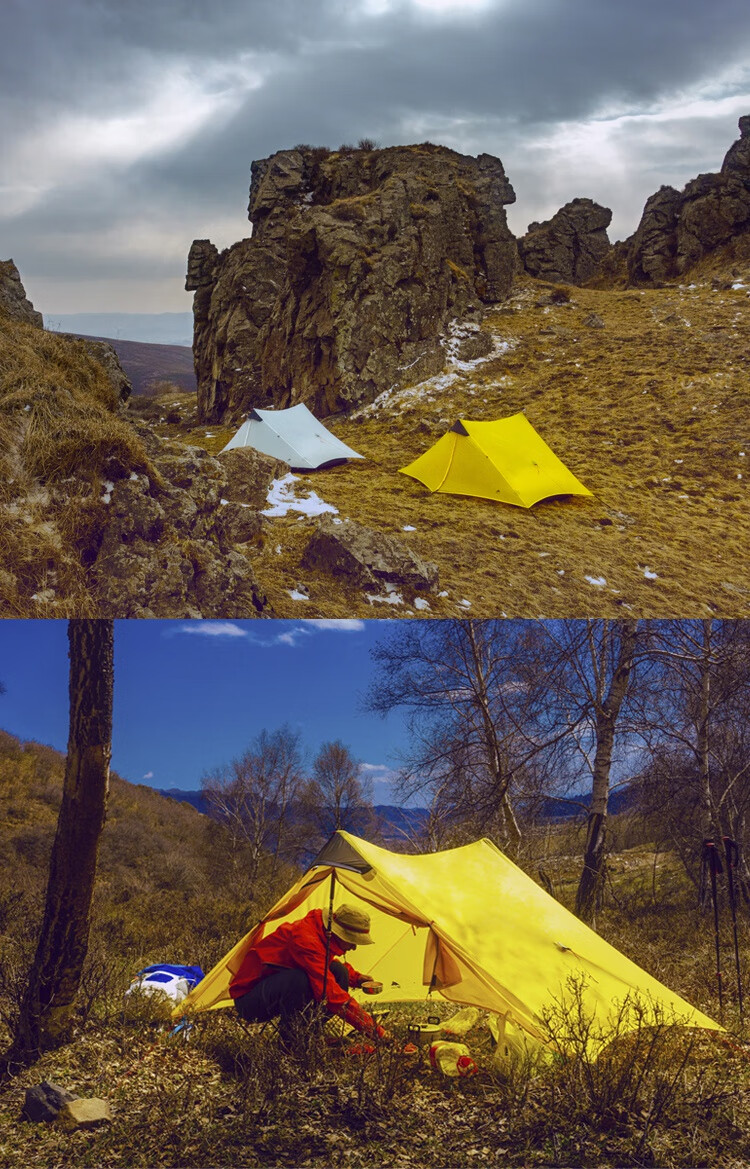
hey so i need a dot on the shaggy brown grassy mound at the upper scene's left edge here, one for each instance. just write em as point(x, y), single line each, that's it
point(61, 438)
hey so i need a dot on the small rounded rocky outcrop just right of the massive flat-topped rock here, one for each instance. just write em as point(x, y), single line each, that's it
point(571, 246)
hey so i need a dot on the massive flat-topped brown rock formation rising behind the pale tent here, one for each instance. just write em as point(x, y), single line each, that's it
point(358, 262)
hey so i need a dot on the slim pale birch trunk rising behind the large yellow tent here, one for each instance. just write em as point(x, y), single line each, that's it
point(589, 893)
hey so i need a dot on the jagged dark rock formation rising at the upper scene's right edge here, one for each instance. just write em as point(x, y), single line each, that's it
point(678, 229)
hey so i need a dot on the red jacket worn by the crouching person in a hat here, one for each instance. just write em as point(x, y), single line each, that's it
point(302, 945)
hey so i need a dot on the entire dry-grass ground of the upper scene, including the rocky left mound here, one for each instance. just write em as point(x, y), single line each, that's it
point(643, 393)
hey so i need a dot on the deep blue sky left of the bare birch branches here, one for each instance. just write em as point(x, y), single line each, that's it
point(191, 696)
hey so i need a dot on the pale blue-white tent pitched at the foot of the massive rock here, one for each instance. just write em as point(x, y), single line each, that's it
point(295, 437)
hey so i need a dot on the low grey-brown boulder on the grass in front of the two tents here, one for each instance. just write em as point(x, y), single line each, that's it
point(366, 558)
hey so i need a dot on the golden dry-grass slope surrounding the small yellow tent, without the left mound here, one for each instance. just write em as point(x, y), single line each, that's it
point(648, 403)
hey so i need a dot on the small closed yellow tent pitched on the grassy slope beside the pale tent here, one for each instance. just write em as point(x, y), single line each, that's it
point(505, 460)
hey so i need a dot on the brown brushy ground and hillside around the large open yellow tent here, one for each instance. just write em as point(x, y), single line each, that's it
point(227, 1096)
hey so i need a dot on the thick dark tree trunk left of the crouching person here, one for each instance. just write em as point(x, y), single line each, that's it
point(46, 1018)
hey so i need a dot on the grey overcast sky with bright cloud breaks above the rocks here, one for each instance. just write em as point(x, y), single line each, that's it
point(129, 126)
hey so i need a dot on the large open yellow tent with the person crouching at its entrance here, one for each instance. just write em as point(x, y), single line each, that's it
point(466, 925)
